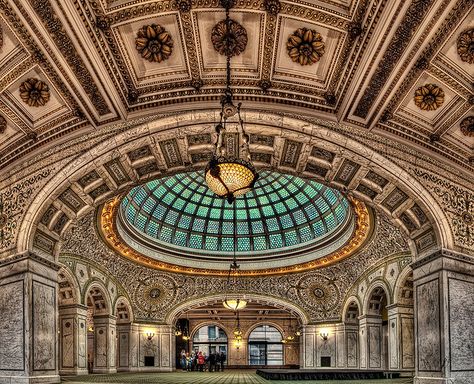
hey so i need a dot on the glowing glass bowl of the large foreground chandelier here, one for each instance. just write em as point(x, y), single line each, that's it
point(228, 177)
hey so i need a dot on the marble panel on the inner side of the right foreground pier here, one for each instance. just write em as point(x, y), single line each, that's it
point(428, 326)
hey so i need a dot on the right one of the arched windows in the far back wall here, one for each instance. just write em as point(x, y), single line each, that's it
point(265, 346)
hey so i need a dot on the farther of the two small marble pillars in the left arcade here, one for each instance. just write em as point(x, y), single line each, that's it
point(105, 342)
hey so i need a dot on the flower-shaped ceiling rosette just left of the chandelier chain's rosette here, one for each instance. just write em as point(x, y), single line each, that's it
point(154, 43)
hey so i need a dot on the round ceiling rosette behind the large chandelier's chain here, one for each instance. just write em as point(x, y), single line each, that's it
point(229, 40)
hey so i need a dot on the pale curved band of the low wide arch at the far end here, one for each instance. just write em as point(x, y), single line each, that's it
point(177, 311)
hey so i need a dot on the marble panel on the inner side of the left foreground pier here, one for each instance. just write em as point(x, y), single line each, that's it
point(44, 326)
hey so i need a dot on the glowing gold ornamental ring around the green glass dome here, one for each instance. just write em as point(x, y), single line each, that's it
point(106, 221)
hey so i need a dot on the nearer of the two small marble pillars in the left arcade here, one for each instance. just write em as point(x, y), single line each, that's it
point(72, 340)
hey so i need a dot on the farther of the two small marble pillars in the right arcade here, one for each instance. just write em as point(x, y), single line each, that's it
point(371, 343)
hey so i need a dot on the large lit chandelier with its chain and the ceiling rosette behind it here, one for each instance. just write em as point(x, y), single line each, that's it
point(229, 174)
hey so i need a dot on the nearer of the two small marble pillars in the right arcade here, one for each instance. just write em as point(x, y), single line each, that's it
point(401, 351)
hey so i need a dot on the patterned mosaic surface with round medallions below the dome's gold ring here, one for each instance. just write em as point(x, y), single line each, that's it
point(319, 293)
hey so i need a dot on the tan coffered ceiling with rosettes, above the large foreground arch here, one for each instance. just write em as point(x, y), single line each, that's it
point(398, 68)
